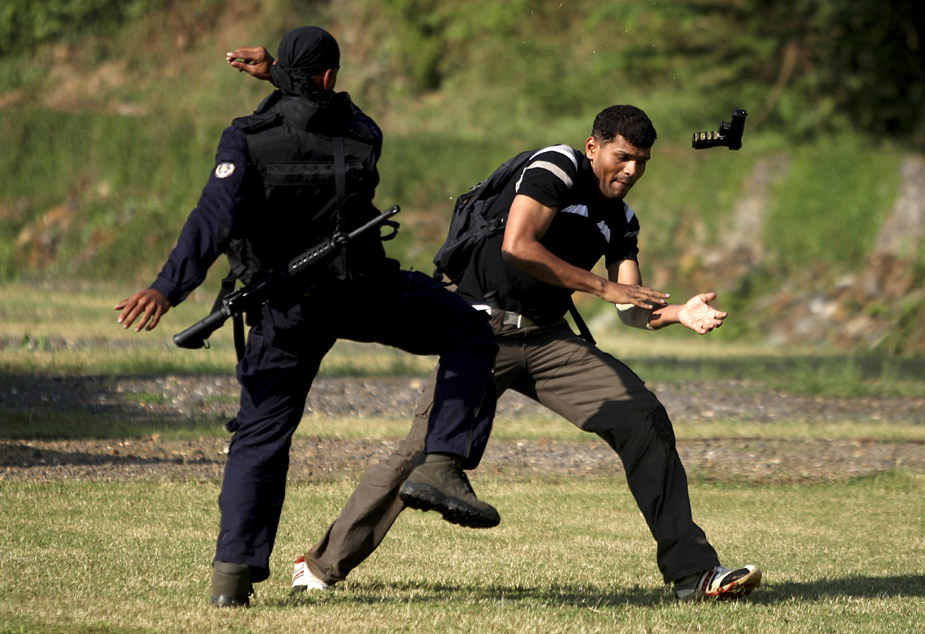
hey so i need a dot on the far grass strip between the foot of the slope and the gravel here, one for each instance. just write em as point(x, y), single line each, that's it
point(61, 329)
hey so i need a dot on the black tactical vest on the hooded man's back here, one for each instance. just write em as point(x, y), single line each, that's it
point(317, 167)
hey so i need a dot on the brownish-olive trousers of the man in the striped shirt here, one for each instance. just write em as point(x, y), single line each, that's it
point(586, 386)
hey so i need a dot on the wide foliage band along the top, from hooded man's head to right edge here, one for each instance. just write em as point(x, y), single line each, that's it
point(812, 65)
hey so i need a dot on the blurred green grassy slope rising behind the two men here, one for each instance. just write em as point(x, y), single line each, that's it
point(112, 139)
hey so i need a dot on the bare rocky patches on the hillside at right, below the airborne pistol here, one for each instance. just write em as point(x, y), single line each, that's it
point(880, 307)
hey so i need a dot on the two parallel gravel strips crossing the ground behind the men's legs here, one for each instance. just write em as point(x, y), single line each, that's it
point(314, 459)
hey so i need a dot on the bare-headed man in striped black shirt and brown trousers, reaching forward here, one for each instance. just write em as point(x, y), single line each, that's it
point(566, 212)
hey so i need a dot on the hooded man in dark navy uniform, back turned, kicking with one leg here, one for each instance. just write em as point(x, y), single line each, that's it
point(299, 169)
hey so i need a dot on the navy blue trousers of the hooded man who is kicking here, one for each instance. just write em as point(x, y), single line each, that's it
point(407, 310)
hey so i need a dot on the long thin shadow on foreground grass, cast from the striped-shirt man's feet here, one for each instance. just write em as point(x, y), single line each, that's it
point(592, 596)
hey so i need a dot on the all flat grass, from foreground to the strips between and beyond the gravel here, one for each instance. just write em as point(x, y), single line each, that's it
point(571, 555)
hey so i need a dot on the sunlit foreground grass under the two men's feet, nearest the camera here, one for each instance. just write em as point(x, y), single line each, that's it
point(570, 555)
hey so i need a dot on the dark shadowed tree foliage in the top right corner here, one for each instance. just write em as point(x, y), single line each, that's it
point(828, 64)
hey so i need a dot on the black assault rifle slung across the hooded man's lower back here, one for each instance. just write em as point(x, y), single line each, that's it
point(255, 295)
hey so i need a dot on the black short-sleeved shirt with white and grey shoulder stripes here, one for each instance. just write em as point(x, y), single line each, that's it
point(583, 230)
